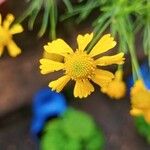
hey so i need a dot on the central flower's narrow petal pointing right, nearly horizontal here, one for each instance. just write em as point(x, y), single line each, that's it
point(109, 60)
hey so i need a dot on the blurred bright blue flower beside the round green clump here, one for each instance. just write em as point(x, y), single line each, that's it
point(46, 105)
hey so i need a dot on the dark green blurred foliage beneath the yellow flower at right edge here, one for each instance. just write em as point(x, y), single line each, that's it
point(143, 127)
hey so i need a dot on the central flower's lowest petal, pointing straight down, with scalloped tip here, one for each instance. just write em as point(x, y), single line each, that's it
point(83, 88)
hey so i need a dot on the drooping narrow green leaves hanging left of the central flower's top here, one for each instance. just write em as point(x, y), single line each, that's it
point(49, 15)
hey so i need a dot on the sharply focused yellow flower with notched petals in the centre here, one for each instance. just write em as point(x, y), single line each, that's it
point(79, 65)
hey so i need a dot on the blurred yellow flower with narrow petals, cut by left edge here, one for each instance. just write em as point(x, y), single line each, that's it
point(6, 34)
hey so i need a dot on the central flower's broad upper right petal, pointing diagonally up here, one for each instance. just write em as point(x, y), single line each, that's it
point(104, 44)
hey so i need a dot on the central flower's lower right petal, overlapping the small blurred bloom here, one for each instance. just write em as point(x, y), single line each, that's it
point(102, 77)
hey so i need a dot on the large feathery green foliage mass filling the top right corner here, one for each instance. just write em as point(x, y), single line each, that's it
point(122, 17)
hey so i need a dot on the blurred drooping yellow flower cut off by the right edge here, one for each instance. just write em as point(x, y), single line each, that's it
point(140, 101)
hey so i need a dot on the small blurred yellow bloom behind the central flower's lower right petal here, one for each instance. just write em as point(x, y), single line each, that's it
point(117, 88)
